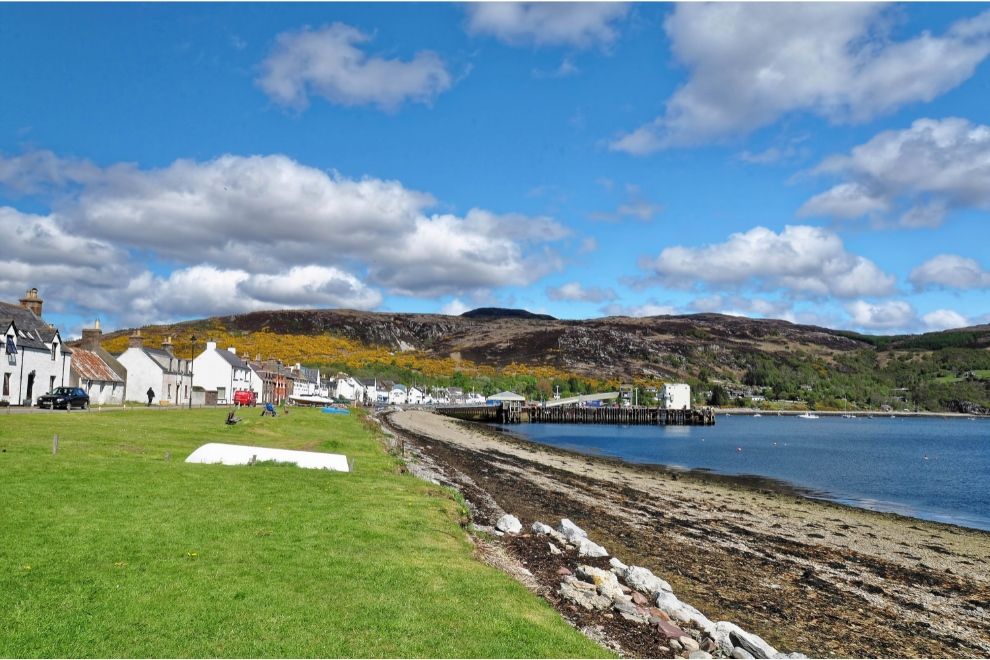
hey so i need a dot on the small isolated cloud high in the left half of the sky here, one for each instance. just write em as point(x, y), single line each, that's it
point(329, 62)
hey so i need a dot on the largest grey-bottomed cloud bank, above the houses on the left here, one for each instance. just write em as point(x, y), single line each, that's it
point(280, 233)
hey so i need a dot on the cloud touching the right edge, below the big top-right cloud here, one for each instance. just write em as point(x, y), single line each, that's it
point(922, 172)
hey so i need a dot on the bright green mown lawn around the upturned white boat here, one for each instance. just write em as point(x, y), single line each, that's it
point(108, 549)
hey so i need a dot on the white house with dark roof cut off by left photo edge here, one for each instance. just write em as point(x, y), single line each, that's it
point(34, 361)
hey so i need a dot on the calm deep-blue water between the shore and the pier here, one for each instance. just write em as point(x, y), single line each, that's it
point(937, 469)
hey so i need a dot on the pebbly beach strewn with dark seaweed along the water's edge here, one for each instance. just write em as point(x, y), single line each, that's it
point(818, 578)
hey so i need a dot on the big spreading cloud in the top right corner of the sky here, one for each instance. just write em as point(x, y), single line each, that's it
point(751, 63)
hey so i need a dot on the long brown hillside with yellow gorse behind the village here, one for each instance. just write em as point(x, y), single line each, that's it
point(778, 359)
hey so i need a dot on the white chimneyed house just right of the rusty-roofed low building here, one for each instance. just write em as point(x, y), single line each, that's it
point(160, 370)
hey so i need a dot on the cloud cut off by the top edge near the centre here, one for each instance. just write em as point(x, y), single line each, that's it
point(580, 24)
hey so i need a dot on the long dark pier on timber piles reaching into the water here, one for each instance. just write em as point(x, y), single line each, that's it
point(514, 413)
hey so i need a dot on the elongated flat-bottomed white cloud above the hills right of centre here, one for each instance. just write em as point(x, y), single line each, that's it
point(802, 260)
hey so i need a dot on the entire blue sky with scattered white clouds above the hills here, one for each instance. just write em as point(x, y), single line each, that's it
point(820, 163)
